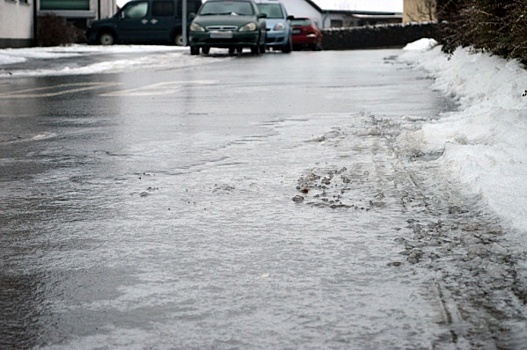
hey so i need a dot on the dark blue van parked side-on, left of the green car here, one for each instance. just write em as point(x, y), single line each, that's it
point(143, 22)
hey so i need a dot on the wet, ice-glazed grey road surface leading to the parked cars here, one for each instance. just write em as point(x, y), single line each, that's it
point(247, 203)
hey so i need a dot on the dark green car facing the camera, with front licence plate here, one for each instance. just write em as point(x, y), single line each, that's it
point(230, 24)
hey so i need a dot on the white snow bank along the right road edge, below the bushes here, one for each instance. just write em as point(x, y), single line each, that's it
point(485, 140)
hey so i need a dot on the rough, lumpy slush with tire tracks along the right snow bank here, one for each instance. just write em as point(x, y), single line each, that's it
point(481, 292)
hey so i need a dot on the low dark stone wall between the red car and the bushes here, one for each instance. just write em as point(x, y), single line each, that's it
point(382, 36)
